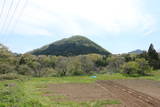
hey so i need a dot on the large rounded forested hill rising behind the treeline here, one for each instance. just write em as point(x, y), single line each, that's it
point(75, 45)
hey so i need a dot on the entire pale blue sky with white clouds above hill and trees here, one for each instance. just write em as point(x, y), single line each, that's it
point(119, 26)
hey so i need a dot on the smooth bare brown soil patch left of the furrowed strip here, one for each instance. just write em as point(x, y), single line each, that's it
point(79, 92)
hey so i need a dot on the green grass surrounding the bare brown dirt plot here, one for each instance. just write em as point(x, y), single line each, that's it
point(28, 93)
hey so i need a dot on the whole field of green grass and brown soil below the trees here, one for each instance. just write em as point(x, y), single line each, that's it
point(107, 90)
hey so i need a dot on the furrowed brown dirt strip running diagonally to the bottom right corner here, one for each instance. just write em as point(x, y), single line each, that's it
point(129, 97)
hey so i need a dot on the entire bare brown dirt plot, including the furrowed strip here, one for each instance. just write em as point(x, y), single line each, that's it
point(131, 93)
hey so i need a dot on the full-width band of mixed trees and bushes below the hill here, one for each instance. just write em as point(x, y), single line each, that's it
point(41, 66)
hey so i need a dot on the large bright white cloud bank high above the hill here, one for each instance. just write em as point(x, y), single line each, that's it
point(111, 15)
